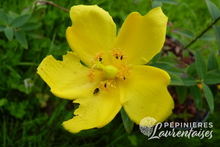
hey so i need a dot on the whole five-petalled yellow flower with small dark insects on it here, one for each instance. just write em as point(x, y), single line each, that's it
point(115, 75)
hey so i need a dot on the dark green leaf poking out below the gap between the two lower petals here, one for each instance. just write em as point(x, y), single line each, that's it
point(128, 124)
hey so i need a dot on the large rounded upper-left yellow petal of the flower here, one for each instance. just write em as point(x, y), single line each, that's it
point(92, 31)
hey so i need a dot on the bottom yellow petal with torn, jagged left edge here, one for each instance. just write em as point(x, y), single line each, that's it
point(95, 111)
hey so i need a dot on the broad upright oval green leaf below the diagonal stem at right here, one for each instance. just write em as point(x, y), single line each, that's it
point(201, 67)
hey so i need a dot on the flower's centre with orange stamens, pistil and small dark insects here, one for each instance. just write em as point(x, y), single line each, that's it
point(119, 69)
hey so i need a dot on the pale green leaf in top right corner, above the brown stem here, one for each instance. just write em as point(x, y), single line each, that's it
point(213, 10)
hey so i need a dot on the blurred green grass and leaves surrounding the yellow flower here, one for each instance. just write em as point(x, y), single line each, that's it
point(29, 31)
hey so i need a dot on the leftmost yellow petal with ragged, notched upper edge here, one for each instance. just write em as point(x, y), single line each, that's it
point(68, 78)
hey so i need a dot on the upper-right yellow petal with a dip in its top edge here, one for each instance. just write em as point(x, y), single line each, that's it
point(142, 37)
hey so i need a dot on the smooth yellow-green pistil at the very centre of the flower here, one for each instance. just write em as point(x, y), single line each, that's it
point(109, 71)
